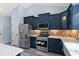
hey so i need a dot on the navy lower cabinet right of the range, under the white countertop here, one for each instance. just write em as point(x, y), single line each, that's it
point(55, 45)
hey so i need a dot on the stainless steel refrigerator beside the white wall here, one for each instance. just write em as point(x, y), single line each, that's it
point(24, 40)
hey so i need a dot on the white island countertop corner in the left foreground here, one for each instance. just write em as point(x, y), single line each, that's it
point(7, 50)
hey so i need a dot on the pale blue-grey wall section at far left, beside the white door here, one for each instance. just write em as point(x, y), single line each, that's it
point(7, 29)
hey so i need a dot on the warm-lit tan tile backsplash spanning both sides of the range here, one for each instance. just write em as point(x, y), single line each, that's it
point(66, 33)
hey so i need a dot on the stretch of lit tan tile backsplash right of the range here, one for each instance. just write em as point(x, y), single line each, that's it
point(66, 33)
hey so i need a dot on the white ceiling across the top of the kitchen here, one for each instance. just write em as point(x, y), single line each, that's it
point(5, 8)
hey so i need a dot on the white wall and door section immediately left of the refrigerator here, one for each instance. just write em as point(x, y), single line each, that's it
point(16, 19)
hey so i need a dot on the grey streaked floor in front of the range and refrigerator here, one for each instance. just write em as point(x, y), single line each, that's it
point(35, 52)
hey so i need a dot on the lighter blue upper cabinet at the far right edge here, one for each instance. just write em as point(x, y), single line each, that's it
point(75, 16)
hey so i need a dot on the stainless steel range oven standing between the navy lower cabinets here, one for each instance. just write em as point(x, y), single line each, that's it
point(42, 43)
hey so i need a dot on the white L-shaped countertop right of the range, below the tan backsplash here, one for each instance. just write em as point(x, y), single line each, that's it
point(71, 44)
